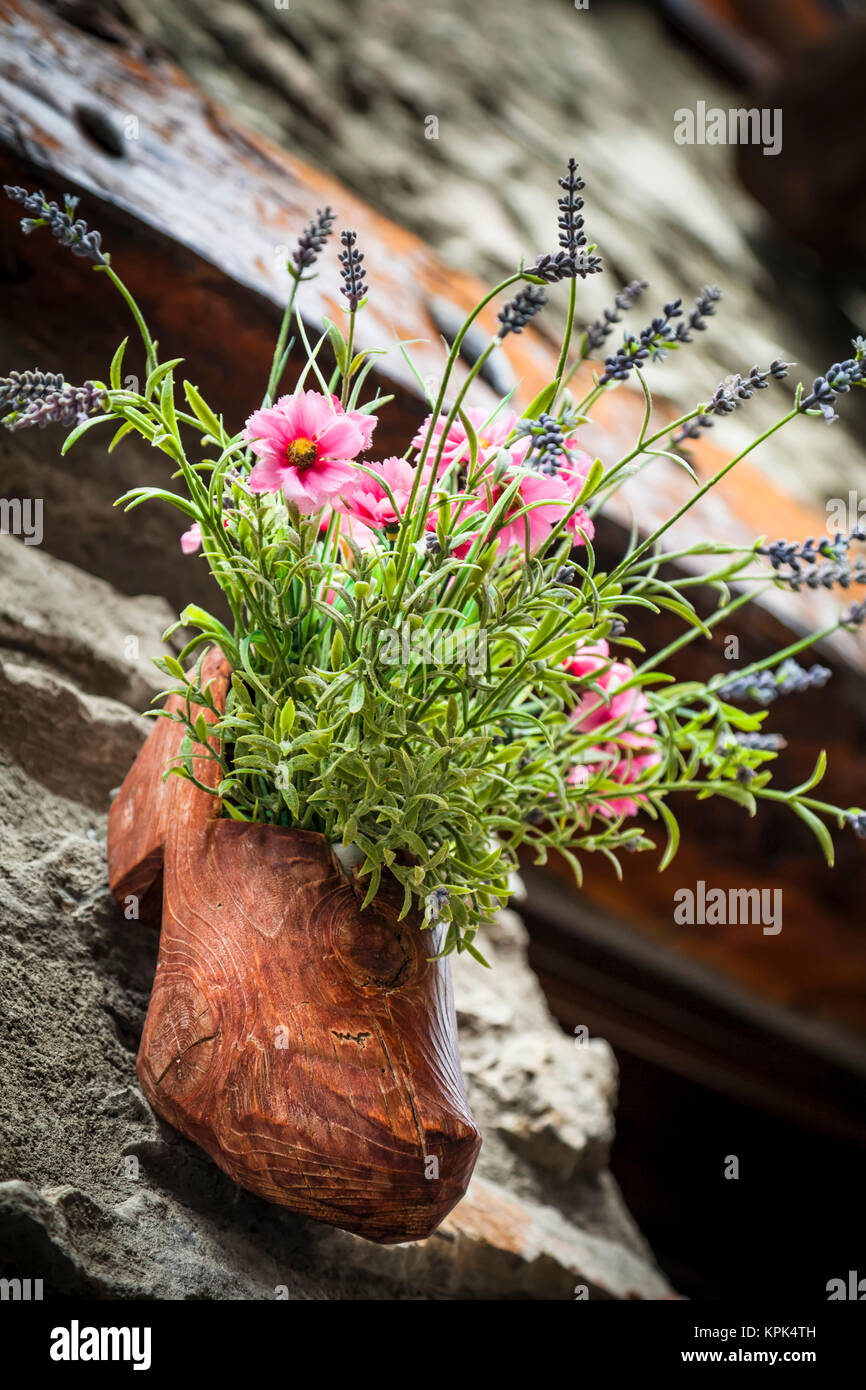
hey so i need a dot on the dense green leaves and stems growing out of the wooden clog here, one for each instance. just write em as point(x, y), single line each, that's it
point(414, 698)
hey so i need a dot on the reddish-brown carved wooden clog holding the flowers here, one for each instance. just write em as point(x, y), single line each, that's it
point(309, 1047)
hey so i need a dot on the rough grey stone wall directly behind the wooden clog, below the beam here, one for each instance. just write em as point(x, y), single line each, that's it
point(99, 1197)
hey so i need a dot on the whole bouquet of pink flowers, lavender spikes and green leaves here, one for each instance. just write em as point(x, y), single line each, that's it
point(429, 665)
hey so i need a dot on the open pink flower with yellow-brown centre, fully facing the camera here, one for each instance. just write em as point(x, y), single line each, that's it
point(305, 445)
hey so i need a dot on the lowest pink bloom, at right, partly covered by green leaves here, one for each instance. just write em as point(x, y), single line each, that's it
point(632, 749)
